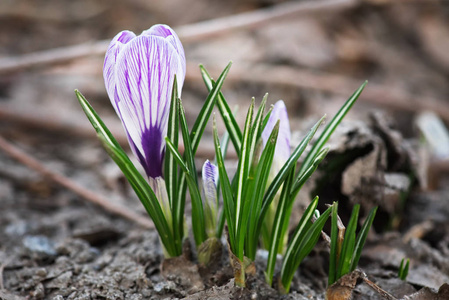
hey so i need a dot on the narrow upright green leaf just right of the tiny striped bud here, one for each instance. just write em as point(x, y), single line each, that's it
point(226, 190)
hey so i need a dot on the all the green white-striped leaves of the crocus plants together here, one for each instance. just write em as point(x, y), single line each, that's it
point(247, 196)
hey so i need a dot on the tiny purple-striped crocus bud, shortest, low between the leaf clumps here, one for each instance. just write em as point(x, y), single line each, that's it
point(210, 178)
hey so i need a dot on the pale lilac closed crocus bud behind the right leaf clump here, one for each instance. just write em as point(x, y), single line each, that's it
point(282, 151)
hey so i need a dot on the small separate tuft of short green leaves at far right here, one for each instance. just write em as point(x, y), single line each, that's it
point(346, 245)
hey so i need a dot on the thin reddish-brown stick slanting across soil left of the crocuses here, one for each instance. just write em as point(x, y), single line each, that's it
point(32, 163)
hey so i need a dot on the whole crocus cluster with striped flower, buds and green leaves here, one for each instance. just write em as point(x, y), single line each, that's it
point(144, 76)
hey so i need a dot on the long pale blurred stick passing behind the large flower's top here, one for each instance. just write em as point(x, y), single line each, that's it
point(187, 33)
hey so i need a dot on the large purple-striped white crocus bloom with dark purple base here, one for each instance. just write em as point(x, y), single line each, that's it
point(139, 72)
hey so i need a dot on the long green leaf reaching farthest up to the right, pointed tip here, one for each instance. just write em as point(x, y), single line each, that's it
point(330, 128)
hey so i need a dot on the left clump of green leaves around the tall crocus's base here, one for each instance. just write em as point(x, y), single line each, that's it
point(168, 218)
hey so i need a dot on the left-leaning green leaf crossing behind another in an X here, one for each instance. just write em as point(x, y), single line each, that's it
point(231, 124)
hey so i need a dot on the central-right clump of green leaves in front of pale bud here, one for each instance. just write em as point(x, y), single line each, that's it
point(248, 195)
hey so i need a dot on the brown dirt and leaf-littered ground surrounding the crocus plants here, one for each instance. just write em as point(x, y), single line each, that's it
point(55, 243)
